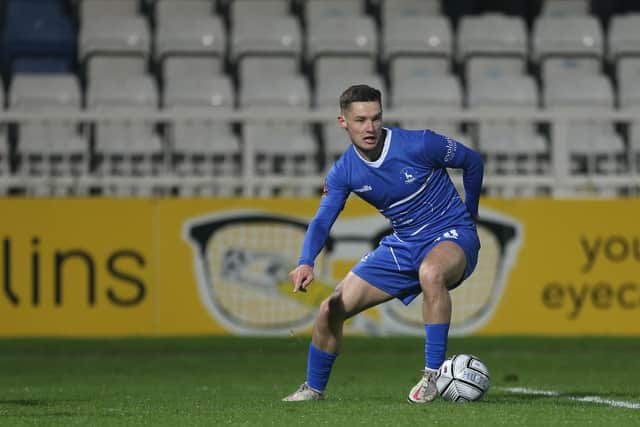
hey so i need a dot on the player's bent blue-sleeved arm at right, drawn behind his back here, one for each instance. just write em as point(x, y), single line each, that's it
point(446, 152)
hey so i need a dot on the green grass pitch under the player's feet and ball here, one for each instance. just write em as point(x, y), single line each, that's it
point(220, 381)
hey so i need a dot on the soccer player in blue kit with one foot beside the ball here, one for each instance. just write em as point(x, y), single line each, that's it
point(433, 248)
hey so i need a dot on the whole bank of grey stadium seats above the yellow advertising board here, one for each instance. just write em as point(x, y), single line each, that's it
point(202, 57)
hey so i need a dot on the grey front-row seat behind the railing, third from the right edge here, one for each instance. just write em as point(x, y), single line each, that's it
point(509, 146)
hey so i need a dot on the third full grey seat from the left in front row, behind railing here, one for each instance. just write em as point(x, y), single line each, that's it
point(202, 147)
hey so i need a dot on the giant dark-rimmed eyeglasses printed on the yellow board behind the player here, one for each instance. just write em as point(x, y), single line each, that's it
point(242, 259)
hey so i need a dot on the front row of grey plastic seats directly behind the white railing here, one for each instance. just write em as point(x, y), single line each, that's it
point(56, 93)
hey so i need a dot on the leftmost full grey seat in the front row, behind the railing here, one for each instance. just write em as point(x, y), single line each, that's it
point(51, 148)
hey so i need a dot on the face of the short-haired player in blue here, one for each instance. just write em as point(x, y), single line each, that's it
point(363, 123)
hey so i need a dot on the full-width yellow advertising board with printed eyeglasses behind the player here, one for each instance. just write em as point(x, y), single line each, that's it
point(100, 267)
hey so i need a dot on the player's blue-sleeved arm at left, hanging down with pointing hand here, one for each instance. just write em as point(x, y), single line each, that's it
point(318, 230)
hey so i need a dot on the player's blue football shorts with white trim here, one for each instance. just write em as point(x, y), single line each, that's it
point(393, 265)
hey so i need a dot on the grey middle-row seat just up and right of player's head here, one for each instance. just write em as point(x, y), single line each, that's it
point(418, 37)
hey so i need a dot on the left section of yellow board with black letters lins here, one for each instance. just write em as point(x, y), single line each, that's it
point(76, 267)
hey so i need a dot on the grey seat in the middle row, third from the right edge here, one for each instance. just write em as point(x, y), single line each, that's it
point(498, 44)
